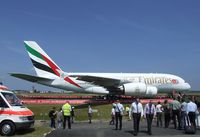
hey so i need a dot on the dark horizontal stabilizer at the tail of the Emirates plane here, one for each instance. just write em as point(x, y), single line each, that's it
point(29, 77)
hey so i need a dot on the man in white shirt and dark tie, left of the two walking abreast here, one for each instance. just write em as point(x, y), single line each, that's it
point(136, 111)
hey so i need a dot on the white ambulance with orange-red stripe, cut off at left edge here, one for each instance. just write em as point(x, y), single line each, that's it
point(13, 114)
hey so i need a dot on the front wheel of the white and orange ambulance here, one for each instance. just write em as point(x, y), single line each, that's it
point(7, 128)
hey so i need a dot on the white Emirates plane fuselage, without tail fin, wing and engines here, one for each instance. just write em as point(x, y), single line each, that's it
point(165, 83)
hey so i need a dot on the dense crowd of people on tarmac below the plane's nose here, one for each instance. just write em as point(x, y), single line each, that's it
point(177, 111)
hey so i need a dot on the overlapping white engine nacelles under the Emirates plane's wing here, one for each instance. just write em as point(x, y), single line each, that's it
point(134, 89)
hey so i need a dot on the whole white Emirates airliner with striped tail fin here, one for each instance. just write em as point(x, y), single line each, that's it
point(142, 84)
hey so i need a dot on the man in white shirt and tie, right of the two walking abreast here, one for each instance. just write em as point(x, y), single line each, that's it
point(149, 114)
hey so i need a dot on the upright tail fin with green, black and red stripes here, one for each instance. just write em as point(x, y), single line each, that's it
point(43, 64)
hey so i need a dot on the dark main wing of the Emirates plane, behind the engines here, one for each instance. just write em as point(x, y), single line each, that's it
point(101, 81)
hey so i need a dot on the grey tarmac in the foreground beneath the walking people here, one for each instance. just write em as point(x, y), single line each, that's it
point(103, 129)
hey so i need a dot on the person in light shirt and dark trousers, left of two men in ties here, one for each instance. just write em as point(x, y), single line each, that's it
point(119, 108)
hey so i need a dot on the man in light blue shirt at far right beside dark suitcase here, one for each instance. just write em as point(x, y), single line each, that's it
point(191, 111)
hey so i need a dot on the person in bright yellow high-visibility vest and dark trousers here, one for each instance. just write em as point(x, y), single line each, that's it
point(66, 108)
